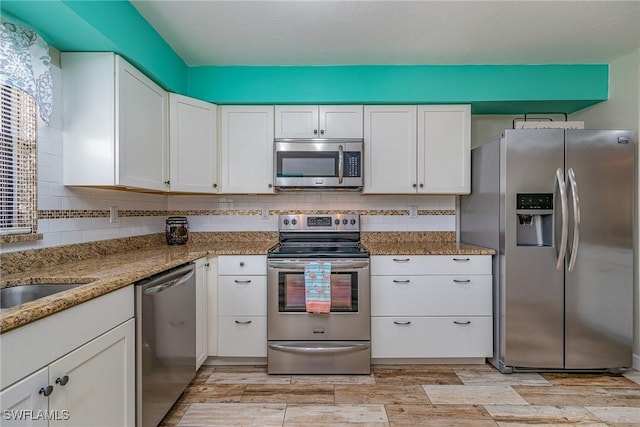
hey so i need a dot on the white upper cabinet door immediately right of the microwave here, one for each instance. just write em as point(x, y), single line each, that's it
point(390, 149)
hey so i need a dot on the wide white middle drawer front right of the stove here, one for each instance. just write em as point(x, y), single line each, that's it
point(431, 295)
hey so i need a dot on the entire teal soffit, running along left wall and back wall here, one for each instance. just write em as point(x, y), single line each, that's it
point(116, 26)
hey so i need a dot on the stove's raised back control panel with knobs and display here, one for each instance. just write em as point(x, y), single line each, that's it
point(319, 222)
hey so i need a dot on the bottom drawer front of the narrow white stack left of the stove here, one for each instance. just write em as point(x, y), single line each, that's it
point(242, 336)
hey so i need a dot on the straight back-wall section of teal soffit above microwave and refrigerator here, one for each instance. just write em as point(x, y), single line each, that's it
point(489, 88)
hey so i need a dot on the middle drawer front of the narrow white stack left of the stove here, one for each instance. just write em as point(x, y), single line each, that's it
point(242, 295)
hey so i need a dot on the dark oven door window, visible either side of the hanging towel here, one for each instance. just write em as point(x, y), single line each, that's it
point(344, 292)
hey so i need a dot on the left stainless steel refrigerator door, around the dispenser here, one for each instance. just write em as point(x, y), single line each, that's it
point(532, 295)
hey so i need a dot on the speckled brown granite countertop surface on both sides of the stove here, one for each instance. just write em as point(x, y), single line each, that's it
point(104, 274)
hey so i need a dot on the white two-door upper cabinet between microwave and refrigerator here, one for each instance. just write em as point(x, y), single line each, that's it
point(412, 149)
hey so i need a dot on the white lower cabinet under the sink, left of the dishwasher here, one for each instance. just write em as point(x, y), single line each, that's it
point(73, 368)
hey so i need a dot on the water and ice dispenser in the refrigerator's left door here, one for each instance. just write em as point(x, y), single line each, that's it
point(534, 219)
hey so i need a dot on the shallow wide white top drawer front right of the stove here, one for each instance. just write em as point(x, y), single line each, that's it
point(430, 264)
